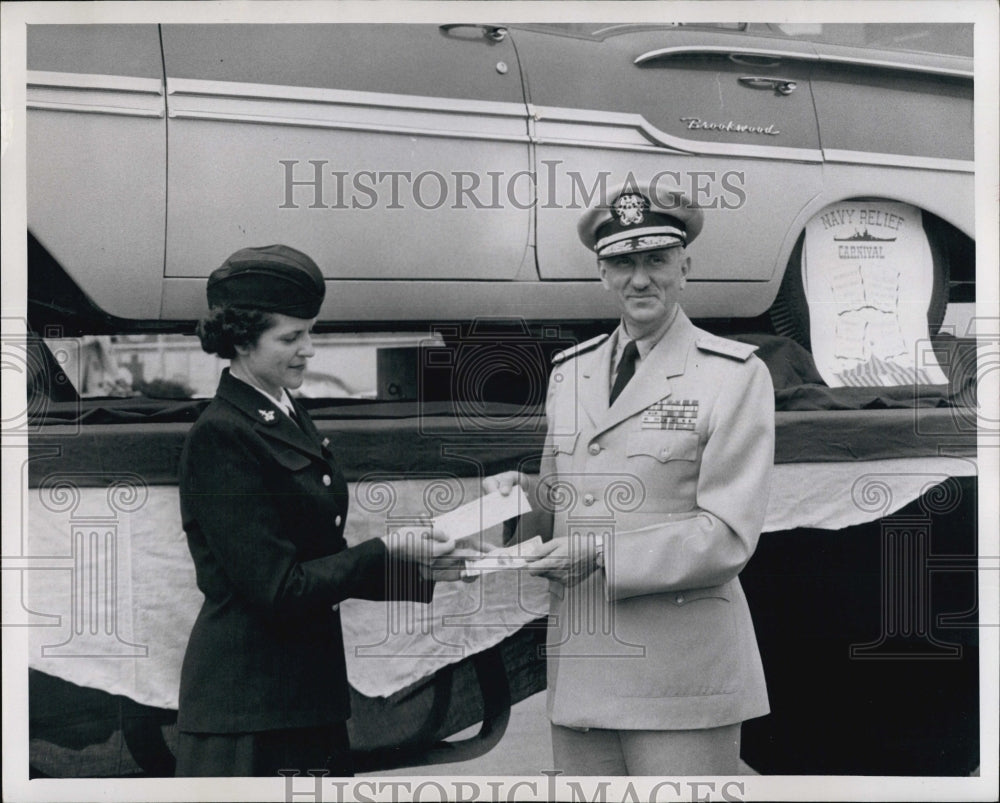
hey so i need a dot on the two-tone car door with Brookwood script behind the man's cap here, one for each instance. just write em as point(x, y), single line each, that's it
point(726, 114)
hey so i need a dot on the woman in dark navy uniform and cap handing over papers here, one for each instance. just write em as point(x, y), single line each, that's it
point(263, 504)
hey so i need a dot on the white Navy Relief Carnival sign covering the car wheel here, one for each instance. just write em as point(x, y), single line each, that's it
point(868, 275)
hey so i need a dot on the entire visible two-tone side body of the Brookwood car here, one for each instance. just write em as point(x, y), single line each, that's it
point(437, 172)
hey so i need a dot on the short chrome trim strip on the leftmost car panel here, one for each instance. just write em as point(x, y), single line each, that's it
point(121, 95)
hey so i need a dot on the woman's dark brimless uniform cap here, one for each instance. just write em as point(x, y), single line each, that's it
point(273, 278)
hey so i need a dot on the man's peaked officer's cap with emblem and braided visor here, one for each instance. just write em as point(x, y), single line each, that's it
point(639, 218)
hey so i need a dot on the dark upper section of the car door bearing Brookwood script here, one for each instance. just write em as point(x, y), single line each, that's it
point(699, 81)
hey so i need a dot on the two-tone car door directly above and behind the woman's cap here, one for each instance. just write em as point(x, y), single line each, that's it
point(367, 146)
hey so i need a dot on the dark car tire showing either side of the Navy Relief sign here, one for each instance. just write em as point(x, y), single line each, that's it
point(790, 311)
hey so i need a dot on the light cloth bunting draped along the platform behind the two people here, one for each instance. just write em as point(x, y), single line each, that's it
point(118, 592)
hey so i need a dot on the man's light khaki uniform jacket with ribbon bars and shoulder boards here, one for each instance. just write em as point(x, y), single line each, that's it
point(676, 476)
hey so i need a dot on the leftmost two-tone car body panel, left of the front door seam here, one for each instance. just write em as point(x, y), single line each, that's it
point(96, 160)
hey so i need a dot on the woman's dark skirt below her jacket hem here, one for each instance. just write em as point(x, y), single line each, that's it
point(264, 753)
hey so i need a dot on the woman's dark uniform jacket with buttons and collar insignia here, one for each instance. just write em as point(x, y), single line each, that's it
point(264, 505)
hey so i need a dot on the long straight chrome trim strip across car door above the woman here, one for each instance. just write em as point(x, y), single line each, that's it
point(315, 107)
